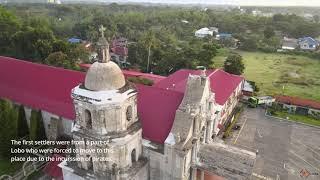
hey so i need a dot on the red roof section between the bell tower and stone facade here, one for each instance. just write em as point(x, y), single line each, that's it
point(157, 108)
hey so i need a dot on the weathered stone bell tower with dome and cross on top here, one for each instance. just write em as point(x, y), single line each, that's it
point(107, 123)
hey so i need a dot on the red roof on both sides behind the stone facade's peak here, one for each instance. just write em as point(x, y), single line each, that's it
point(222, 83)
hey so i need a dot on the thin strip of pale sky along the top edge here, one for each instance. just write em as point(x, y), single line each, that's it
point(235, 2)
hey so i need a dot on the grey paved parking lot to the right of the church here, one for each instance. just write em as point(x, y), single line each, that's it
point(284, 148)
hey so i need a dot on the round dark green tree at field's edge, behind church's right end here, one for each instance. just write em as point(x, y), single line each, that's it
point(233, 64)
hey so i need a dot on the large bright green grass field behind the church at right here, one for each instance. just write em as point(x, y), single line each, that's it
point(299, 75)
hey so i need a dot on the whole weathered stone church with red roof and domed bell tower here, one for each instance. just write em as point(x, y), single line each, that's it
point(163, 132)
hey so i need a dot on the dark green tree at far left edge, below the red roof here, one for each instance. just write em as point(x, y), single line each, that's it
point(8, 128)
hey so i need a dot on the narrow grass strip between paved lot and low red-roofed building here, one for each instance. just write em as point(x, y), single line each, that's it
point(297, 118)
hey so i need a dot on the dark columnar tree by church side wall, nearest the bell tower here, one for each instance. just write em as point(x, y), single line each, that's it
point(37, 131)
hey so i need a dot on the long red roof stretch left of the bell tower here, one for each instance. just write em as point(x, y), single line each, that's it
point(39, 86)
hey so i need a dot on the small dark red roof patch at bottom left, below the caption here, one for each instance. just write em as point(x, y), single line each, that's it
point(52, 168)
